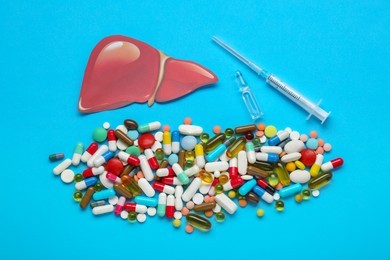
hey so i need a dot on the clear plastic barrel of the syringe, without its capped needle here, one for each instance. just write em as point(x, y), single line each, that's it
point(297, 98)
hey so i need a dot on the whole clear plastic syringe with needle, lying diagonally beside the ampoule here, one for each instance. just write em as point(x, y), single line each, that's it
point(288, 91)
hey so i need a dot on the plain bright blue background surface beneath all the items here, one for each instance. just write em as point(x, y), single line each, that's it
point(335, 50)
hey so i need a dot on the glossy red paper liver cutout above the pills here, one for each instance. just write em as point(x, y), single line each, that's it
point(123, 70)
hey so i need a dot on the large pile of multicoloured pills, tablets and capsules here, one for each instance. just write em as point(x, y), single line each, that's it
point(137, 171)
